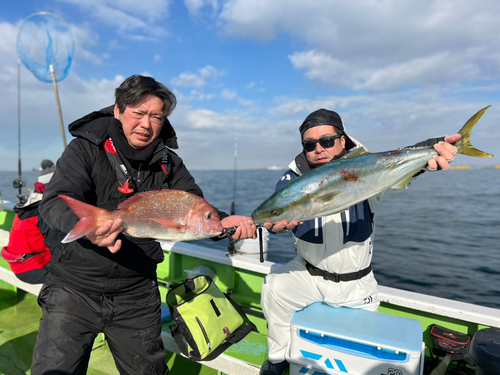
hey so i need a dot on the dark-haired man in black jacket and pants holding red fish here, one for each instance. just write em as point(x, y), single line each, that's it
point(106, 282)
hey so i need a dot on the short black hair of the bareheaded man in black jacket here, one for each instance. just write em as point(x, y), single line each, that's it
point(133, 89)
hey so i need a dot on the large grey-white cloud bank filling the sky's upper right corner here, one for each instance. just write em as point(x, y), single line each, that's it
point(377, 45)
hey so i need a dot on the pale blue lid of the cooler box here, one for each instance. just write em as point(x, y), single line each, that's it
point(361, 325)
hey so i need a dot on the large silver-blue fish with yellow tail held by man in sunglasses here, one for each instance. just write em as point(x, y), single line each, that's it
point(339, 184)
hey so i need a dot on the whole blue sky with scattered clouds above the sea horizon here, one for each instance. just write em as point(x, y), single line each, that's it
point(396, 72)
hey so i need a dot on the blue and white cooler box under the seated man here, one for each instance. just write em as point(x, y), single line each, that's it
point(341, 341)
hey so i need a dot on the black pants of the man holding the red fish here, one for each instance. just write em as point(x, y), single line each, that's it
point(72, 319)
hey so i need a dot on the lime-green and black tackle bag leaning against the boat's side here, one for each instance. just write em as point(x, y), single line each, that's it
point(206, 320)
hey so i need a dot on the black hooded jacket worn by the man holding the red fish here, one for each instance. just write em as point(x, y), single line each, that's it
point(84, 172)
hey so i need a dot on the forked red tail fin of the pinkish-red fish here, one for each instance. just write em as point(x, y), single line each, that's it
point(90, 218)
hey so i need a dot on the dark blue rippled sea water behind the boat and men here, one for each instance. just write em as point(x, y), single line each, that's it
point(440, 237)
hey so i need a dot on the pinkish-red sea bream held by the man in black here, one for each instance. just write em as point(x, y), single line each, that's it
point(169, 215)
